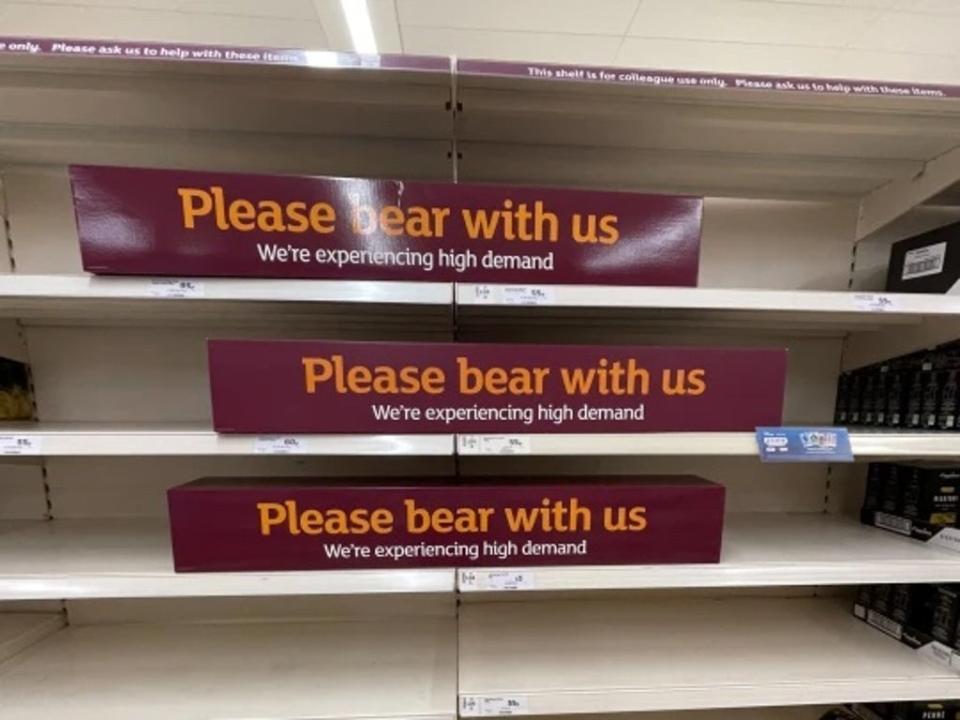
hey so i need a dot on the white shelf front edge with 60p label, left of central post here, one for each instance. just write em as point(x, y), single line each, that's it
point(82, 439)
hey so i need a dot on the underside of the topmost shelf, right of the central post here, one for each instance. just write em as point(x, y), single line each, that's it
point(701, 140)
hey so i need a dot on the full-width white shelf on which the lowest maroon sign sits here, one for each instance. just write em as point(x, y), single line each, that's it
point(131, 557)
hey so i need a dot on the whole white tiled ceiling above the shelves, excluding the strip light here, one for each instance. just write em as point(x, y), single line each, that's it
point(881, 39)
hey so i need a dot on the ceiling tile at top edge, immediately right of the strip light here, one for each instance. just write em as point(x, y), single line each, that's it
point(600, 17)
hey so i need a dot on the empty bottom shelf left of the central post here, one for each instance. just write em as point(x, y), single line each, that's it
point(400, 668)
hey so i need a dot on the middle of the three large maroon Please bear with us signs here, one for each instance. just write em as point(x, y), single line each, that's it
point(372, 387)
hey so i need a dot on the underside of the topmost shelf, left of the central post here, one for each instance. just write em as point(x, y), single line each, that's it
point(324, 112)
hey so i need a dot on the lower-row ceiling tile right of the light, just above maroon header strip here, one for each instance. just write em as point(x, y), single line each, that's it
point(494, 45)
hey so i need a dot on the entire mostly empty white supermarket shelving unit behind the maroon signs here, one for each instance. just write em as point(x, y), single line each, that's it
point(803, 195)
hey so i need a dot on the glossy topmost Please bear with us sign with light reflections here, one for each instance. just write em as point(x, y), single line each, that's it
point(134, 221)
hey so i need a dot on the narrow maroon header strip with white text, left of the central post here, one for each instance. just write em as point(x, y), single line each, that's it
point(228, 54)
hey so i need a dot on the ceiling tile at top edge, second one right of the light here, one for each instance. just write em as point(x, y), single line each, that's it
point(753, 22)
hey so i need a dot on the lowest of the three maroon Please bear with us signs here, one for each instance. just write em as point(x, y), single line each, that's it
point(231, 524)
